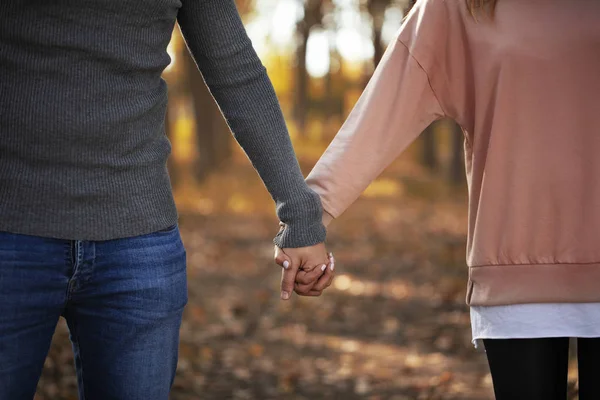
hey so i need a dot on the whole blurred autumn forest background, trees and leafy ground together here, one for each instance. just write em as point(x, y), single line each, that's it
point(394, 325)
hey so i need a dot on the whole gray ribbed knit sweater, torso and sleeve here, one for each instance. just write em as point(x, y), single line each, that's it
point(82, 108)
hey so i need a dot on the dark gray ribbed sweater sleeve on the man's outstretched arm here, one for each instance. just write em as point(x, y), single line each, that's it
point(237, 79)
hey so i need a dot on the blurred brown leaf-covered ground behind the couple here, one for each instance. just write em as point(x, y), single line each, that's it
point(393, 326)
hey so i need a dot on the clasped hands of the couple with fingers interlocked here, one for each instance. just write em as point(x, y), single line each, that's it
point(306, 270)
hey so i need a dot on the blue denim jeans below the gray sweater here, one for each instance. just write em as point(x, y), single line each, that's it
point(123, 302)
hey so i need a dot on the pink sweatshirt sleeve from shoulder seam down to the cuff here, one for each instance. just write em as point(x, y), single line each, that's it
point(396, 106)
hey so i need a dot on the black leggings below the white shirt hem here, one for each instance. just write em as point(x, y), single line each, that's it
point(536, 369)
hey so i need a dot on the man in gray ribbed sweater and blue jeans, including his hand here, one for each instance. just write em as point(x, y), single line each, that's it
point(88, 226)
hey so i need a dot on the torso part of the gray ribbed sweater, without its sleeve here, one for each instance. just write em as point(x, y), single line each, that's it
point(82, 105)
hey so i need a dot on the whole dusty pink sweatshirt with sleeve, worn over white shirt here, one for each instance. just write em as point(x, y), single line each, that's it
point(525, 87)
